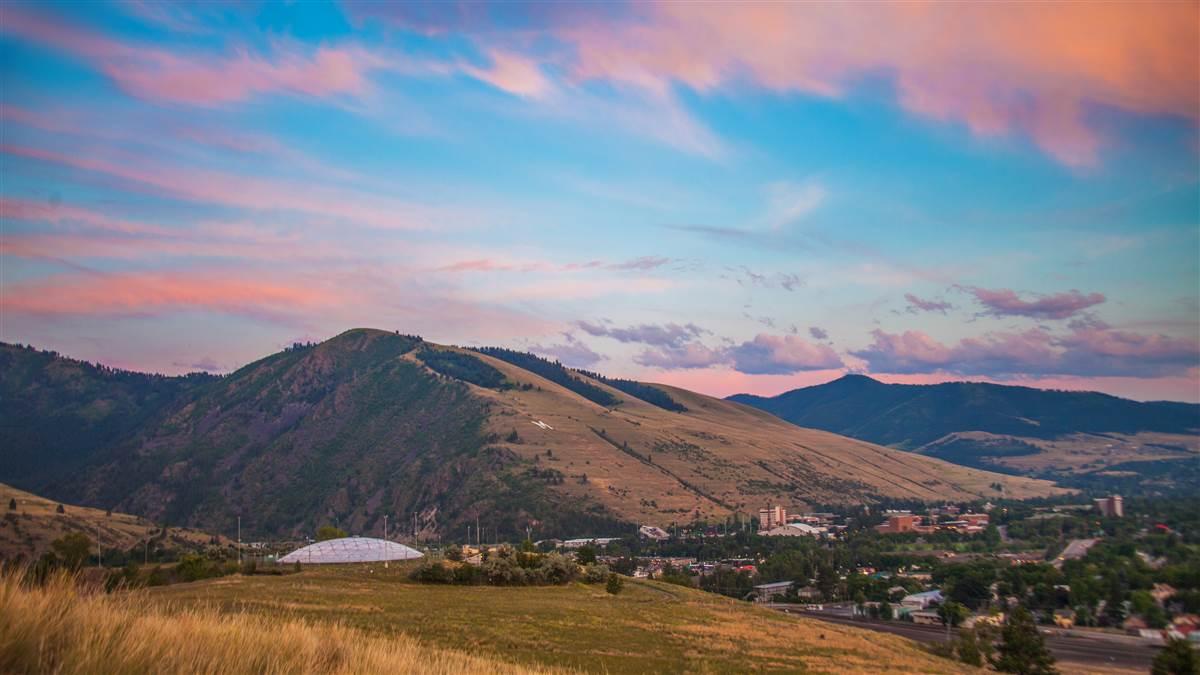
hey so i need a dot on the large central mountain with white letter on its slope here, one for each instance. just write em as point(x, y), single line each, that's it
point(374, 423)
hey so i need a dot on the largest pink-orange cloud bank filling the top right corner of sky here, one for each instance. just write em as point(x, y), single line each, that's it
point(1028, 68)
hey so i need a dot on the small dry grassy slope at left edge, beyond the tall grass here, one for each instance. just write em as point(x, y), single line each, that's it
point(29, 530)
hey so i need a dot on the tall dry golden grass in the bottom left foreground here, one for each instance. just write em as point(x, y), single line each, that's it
point(61, 629)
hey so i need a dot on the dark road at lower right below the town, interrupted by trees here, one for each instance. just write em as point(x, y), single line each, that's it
point(1089, 652)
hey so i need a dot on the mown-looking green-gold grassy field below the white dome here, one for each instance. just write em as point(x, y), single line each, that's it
point(650, 628)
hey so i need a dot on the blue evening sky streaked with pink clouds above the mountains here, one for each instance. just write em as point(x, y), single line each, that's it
point(727, 198)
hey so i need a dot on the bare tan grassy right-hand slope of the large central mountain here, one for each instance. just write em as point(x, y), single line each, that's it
point(716, 459)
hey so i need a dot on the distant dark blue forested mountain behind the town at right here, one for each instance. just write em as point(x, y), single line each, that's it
point(1084, 438)
